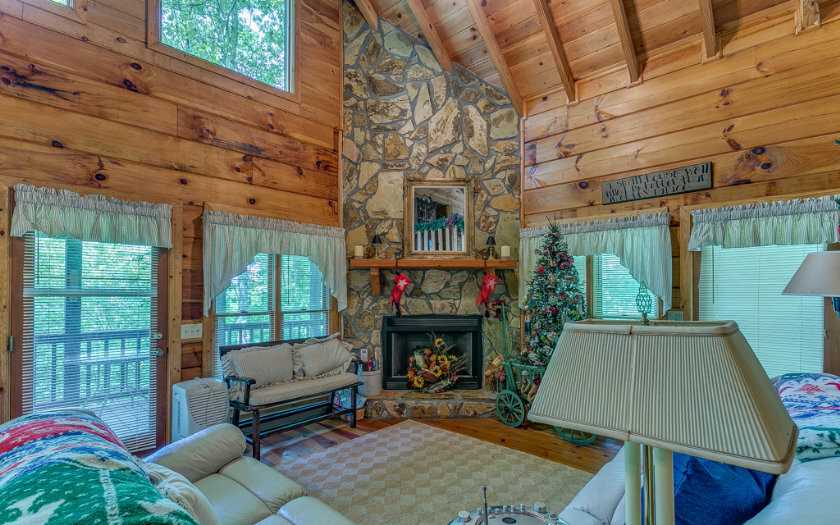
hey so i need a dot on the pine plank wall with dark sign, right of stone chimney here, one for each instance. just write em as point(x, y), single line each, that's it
point(766, 114)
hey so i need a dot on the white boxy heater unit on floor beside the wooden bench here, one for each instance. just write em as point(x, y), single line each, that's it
point(196, 405)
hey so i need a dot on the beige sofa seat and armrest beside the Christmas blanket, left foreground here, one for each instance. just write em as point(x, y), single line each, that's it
point(240, 489)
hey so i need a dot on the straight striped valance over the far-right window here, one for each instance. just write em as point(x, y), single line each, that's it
point(798, 221)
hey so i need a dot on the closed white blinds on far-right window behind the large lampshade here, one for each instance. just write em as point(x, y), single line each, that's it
point(745, 285)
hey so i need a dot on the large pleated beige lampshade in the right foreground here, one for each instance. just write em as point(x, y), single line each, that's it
point(690, 387)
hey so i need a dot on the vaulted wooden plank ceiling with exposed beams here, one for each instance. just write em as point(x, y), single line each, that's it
point(536, 47)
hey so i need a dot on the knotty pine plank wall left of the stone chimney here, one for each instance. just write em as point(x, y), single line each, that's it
point(85, 104)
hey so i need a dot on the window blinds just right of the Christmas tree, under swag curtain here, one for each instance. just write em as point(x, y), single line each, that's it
point(614, 291)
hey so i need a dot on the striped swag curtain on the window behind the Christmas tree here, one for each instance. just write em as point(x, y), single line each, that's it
point(642, 242)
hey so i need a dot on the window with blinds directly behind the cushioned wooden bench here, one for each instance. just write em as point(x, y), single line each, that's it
point(247, 311)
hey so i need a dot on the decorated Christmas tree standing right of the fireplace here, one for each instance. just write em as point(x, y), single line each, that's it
point(553, 296)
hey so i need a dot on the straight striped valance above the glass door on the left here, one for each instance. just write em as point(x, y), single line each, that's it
point(99, 218)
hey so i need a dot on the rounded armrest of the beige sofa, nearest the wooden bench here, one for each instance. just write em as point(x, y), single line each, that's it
point(204, 453)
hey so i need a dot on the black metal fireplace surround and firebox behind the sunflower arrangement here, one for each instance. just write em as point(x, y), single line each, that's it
point(402, 335)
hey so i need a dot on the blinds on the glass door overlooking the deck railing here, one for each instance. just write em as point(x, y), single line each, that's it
point(90, 333)
